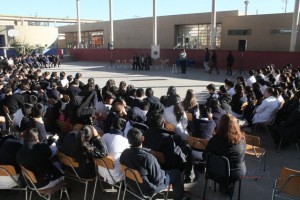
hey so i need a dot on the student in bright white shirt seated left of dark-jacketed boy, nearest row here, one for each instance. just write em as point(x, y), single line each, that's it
point(116, 143)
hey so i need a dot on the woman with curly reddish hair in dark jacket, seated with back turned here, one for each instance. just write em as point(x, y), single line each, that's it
point(229, 141)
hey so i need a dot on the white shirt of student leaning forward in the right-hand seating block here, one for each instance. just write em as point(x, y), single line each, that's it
point(264, 112)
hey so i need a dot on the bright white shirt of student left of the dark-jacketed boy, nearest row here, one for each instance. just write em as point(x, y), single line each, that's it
point(116, 144)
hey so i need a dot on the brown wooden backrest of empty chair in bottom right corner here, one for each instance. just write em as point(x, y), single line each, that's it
point(289, 182)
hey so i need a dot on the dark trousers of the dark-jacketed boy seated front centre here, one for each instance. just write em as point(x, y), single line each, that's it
point(174, 177)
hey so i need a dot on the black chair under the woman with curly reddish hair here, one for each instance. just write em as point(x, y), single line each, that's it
point(218, 170)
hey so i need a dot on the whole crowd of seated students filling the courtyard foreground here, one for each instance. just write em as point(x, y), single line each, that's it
point(58, 112)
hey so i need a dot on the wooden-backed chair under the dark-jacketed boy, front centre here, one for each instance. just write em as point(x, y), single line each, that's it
point(135, 176)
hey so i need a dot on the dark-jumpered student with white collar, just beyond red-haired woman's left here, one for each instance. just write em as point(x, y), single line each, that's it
point(205, 125)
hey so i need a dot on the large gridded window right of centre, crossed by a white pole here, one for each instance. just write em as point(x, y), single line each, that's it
point(196, 36)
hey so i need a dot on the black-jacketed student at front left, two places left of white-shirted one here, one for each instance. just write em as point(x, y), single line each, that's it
point(39, 158)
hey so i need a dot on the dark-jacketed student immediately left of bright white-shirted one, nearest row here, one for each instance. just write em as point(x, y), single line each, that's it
point(83, 146)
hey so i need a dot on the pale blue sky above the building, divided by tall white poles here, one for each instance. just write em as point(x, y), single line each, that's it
point(126, 9)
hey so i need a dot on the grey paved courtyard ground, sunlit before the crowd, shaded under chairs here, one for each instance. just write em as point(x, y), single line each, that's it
point(197, 80)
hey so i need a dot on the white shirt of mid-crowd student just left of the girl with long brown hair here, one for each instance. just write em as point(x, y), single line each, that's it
point(180, 127)
